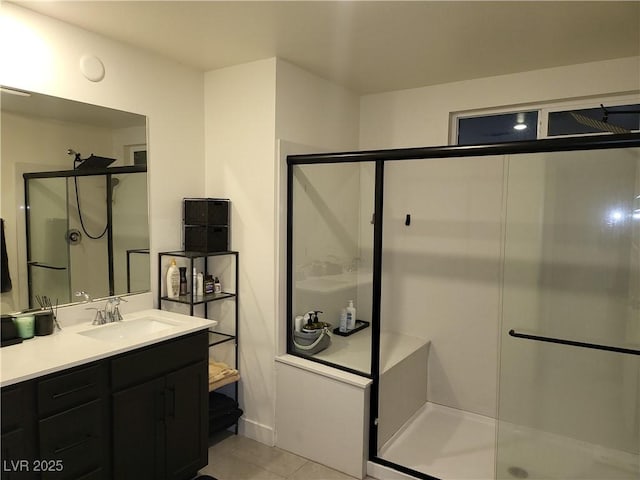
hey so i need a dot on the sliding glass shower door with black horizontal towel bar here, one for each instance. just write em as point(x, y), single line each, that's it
point(569, 406)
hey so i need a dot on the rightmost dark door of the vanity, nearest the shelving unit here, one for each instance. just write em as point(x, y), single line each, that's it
point(186, 421)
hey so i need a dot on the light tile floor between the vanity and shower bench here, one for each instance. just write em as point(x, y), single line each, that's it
point(234, 457)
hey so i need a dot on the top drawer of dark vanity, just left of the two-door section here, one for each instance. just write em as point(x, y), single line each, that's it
point(70, 389)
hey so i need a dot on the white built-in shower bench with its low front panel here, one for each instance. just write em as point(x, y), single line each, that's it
point(314, 401)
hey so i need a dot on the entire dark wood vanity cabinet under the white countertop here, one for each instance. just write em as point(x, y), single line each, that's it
point(139, 415)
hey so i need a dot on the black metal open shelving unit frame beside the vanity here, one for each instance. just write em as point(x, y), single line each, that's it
point(190, 299)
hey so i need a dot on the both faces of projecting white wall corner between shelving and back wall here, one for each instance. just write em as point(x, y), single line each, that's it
point(248, 109)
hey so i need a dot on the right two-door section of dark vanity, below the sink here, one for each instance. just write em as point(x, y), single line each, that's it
point(159, 399)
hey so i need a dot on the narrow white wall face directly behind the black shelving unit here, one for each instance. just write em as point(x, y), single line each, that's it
point(240, 153)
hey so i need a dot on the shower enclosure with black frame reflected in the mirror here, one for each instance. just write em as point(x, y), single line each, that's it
point(86, 230)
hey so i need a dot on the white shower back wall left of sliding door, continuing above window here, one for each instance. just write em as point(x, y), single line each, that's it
point(433, 303)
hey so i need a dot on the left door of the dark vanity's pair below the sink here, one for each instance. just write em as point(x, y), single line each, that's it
point(138, 431)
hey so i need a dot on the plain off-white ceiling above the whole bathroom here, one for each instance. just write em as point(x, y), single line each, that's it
point(368, 46)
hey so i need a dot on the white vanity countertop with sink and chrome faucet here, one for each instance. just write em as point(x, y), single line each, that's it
point(68, 347)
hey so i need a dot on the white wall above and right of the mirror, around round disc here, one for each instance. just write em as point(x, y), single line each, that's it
point(170, 95)
